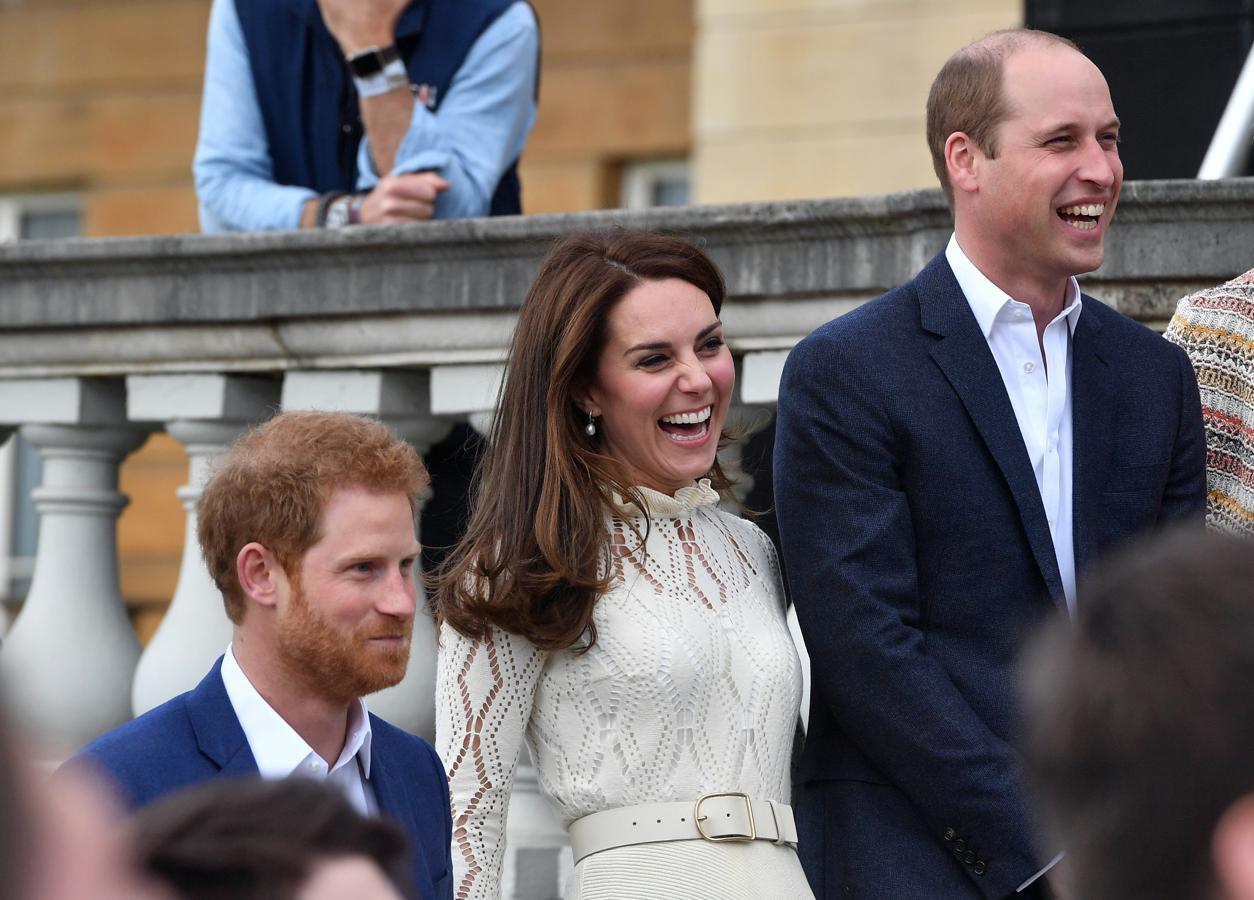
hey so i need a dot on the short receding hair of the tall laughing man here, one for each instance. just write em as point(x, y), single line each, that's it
point(967, 93)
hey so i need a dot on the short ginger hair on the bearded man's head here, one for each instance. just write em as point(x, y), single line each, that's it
point(274, 483)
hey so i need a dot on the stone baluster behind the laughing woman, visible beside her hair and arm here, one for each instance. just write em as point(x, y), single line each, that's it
point(536, 840)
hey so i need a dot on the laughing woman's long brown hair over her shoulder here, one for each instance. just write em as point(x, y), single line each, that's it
point(530, 560)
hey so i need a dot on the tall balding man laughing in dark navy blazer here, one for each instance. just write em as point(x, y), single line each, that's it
point(949, 458)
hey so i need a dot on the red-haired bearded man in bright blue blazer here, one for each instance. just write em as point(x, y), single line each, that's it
point(308, 530)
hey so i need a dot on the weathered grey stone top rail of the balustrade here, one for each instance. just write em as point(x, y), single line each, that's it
point(402, 295)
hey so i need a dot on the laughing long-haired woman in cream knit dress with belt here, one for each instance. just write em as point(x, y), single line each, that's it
point(603, 609)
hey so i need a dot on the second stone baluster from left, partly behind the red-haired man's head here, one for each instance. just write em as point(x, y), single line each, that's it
point(205, 413)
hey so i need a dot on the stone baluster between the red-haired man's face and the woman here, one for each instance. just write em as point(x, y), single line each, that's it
point(402, 402)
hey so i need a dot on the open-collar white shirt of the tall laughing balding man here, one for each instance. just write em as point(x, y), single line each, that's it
point(1040, 393)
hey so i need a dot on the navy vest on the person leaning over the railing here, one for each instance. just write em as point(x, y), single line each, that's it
point(307, 97)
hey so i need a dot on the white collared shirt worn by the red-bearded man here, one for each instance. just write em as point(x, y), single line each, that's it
point(282, 753)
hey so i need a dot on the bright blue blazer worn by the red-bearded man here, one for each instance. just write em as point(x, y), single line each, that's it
point(198, 736)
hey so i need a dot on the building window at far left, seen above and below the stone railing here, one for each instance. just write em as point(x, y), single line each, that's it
point(31, 217)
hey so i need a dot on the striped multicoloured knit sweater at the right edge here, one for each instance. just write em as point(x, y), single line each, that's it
point(1216, 329)
